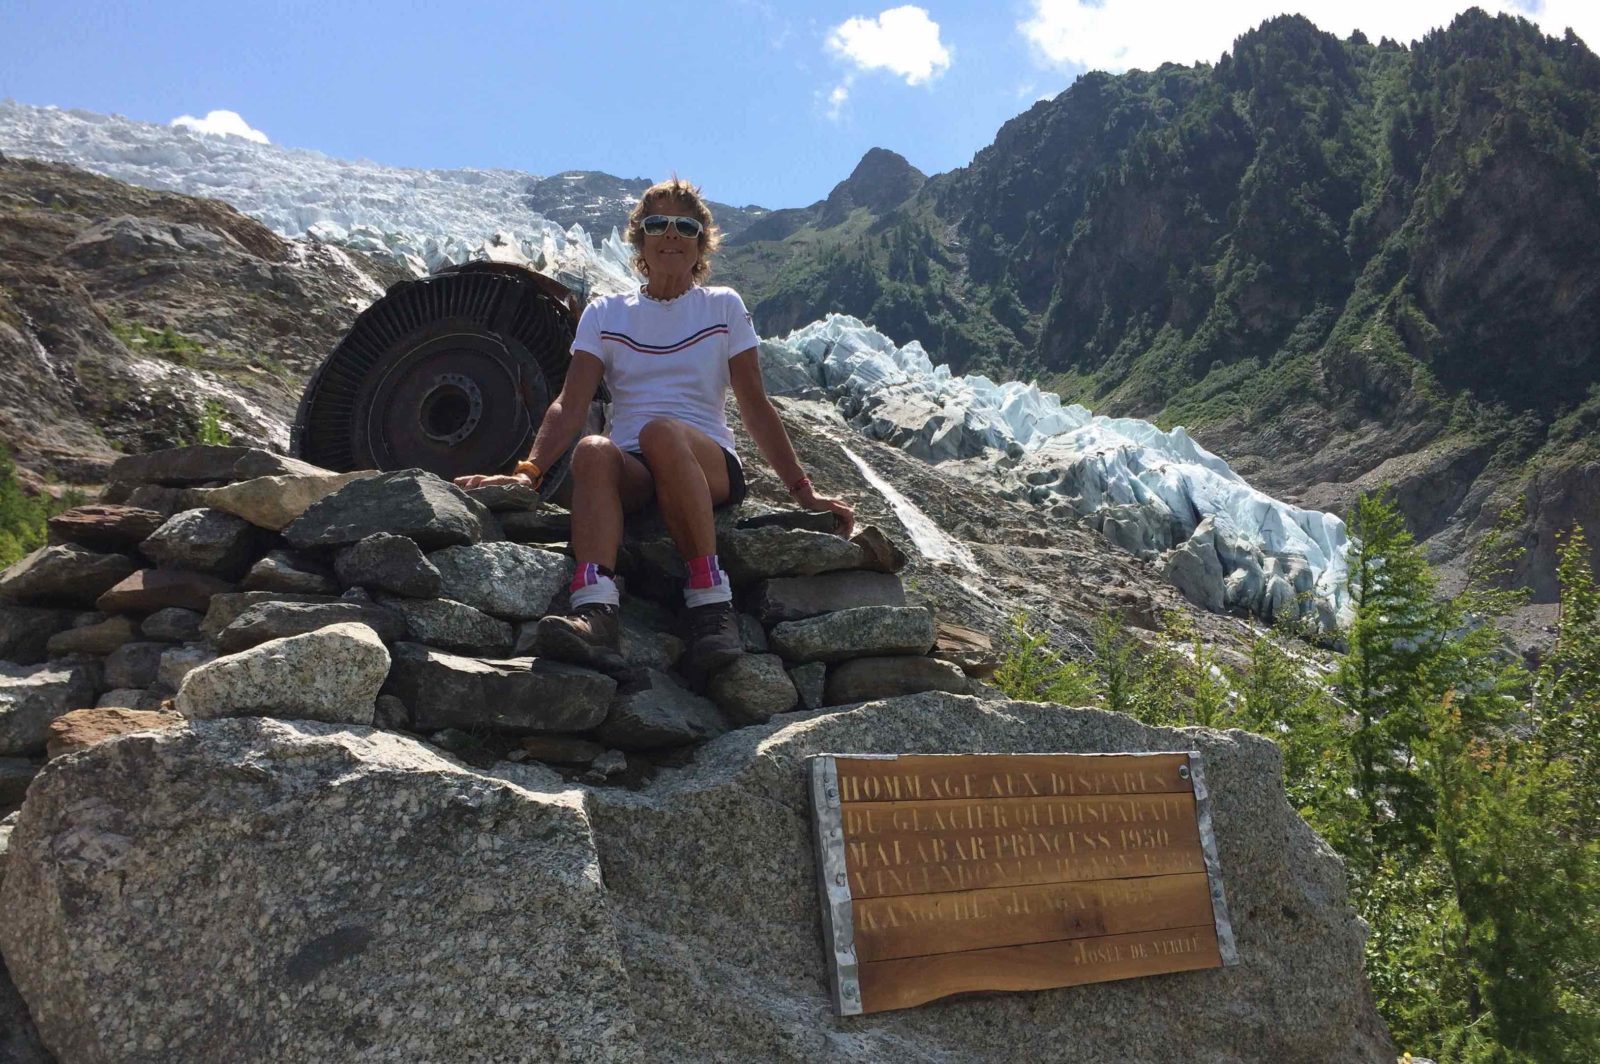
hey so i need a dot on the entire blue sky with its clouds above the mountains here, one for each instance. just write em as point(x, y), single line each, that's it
point(759, 102)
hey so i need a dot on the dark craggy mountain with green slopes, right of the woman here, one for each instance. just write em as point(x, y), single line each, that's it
point(1338, 263)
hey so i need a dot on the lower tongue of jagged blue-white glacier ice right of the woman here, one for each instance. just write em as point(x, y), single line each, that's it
point(1153, 492)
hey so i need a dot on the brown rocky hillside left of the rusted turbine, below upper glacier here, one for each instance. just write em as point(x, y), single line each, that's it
point(126, 313)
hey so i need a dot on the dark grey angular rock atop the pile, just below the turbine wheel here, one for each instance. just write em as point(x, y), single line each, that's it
point(407, 503)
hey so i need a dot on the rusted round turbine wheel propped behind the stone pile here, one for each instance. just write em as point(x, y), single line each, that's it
point(449, 374)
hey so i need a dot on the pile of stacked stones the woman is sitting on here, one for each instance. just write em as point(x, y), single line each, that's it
point(223, 582)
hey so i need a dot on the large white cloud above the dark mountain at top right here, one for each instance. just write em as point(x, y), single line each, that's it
point(1143, 34)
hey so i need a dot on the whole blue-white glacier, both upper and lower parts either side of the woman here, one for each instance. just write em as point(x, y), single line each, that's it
point(1153, 492)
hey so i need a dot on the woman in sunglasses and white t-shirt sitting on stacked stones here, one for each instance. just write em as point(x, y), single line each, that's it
point(668, 353)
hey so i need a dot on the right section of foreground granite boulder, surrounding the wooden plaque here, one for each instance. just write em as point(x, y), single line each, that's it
point(713, 882)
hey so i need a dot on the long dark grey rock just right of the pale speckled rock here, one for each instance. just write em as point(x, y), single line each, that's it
point(516, 697)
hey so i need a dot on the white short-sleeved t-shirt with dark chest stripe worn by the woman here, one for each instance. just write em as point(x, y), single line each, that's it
point(668, 359)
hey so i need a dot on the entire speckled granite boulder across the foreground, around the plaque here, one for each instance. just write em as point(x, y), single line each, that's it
point(366, 898)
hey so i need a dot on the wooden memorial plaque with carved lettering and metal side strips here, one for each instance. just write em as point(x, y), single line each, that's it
point(951, 873)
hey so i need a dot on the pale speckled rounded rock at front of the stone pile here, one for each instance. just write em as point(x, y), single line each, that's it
point(332, 674)
